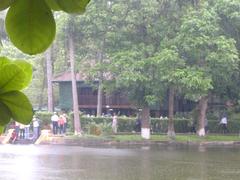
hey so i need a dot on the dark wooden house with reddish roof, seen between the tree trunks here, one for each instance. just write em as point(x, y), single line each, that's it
point(117, 101)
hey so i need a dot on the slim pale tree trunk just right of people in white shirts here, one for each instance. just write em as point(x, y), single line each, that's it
point(77, 124)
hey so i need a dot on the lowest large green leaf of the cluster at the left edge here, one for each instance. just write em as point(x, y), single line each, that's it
point(19, 105)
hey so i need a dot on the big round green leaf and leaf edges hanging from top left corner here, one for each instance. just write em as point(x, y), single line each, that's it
point(30, 24)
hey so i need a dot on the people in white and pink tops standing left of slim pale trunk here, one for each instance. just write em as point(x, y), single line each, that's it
point(59, 123)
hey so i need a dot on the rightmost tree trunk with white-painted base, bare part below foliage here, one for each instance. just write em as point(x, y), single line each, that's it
point(203, 103)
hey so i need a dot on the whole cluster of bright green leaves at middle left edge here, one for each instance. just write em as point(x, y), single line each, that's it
point(15, 75)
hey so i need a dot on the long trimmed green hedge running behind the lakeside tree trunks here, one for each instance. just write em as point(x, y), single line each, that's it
point(126, 124)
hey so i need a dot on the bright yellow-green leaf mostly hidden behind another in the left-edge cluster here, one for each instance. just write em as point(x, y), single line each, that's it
point(27, 68)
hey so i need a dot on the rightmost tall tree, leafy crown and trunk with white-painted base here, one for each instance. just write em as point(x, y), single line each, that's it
point(205, 48)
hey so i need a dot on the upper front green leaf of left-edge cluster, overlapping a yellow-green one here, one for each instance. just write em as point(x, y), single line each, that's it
point(12, 78)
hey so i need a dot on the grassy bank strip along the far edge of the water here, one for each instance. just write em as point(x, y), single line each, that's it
point(47, 138)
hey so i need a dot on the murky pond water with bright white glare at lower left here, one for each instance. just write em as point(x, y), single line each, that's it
point(31, 162)
